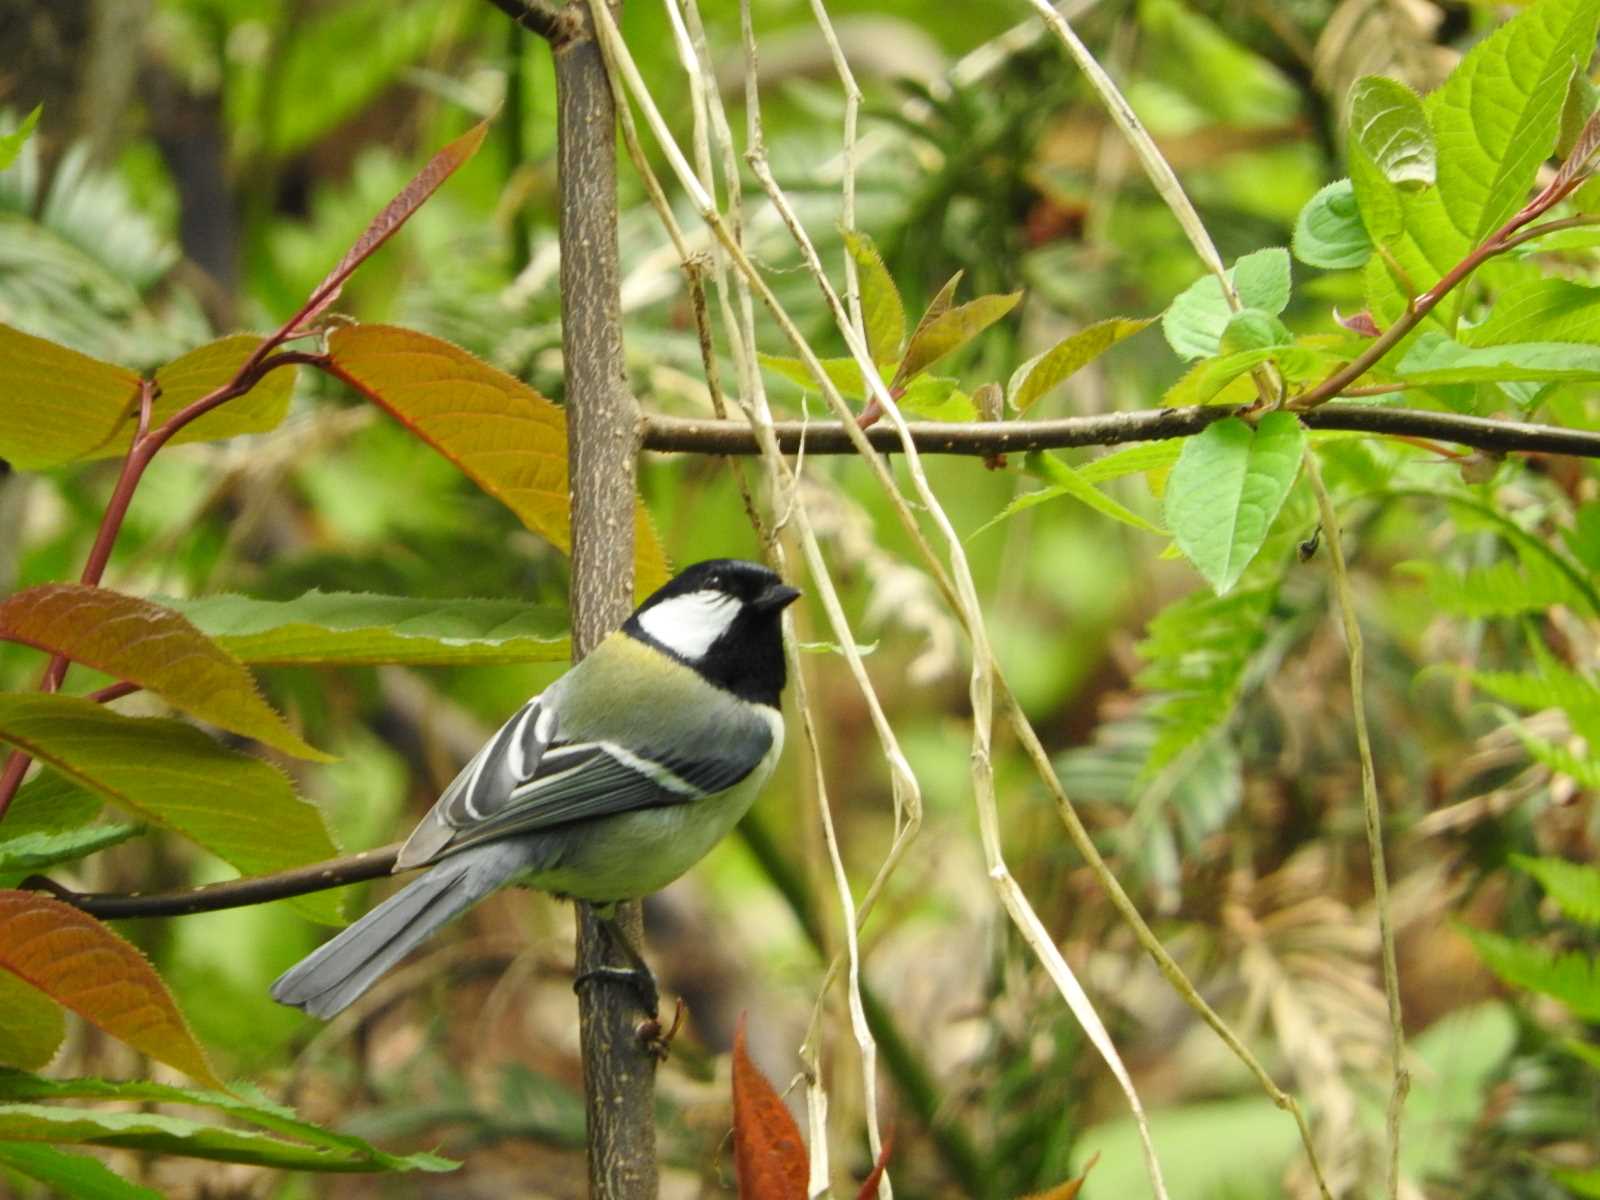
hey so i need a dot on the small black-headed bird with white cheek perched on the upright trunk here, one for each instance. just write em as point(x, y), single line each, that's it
point(604, 788)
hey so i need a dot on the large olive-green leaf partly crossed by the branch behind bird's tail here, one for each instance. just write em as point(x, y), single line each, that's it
point(172, 775)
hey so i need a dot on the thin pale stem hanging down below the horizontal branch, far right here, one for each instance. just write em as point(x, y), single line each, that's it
point(1374, 814)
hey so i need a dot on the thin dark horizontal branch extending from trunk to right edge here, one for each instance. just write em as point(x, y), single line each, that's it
point(998, 438)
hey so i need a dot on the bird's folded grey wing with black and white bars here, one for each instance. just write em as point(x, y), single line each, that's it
point(527, 780)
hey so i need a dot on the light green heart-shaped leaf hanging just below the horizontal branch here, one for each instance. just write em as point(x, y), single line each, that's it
point(1226, 490)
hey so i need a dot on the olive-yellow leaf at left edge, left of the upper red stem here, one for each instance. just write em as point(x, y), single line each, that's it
point(55, 404)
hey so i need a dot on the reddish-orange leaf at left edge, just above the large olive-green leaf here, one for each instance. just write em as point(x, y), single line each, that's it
point(150, 646)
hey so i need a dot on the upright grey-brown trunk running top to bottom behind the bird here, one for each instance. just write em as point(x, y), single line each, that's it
point(602, 426)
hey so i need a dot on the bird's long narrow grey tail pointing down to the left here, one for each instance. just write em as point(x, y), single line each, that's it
point(342, 970)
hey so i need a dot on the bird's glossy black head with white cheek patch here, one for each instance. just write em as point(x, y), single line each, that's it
point(724, 618)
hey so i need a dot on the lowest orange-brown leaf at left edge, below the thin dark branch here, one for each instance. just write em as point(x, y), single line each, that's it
point(86, 967)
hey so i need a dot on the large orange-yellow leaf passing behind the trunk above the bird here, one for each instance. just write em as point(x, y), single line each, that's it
point(505, 436)
